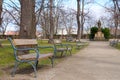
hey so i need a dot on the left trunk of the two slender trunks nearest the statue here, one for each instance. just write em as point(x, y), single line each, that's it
point(78, 19)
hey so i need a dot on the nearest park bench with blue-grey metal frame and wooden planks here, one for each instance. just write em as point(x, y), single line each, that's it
point(28, 51)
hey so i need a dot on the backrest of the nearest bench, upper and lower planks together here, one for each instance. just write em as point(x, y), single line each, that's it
point(22, 44)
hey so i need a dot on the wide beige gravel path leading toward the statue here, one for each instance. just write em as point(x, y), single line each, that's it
point(98, 61)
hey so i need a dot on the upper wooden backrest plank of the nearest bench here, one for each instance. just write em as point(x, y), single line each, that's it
point(24, 42)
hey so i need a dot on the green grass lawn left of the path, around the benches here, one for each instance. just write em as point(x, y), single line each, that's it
point(7, 56)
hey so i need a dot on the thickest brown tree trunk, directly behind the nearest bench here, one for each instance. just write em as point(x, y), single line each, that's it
point(27, 24)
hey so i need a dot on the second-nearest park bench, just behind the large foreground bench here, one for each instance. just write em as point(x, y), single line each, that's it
point(62, 48)
